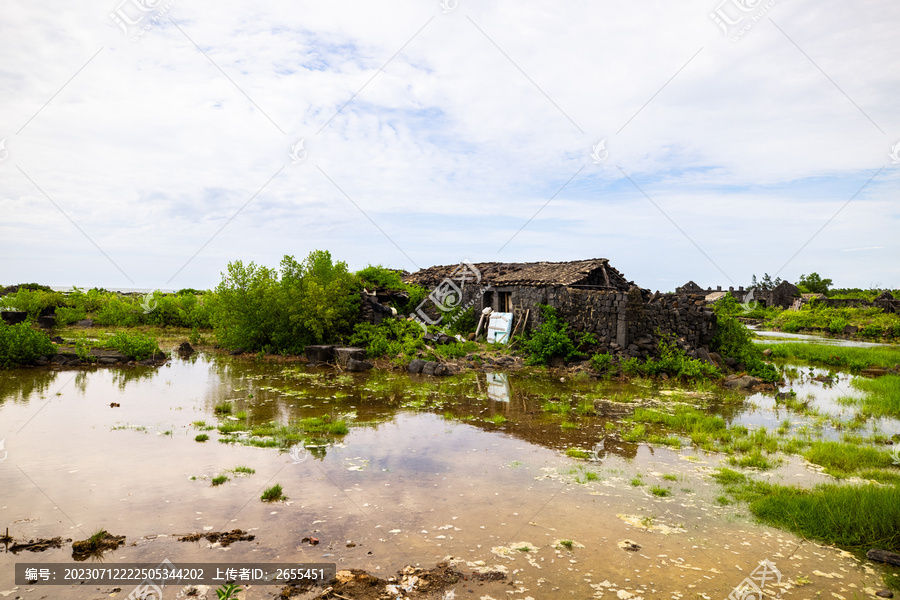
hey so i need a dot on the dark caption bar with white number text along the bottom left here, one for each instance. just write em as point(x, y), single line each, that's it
point(168, 573)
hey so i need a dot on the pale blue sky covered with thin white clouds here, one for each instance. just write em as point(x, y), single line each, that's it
point(148, 143)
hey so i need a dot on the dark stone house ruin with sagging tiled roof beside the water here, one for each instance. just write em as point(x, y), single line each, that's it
point(591, 295)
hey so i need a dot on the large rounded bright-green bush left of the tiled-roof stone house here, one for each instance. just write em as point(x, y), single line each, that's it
point(313, 302)
